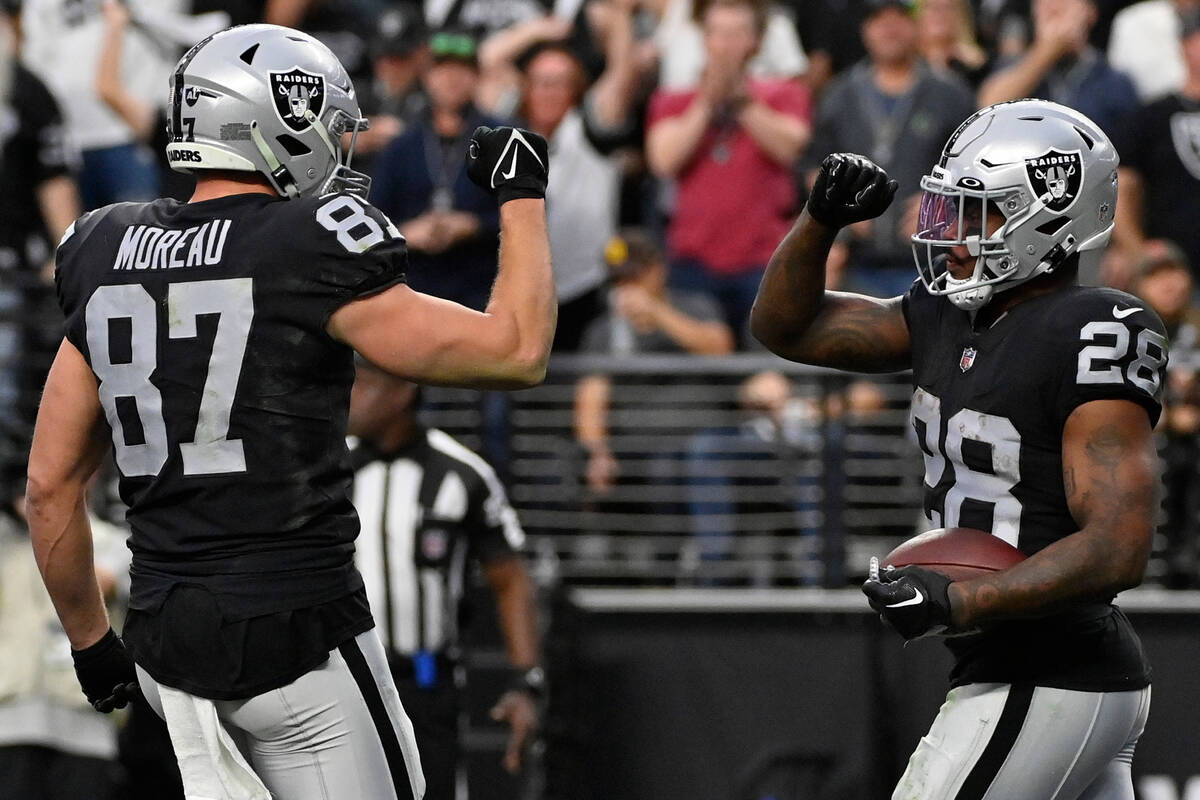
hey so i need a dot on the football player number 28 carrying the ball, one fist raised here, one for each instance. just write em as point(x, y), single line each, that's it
point(1034, 401)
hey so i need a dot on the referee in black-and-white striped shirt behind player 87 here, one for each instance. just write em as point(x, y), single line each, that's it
point(428, 506)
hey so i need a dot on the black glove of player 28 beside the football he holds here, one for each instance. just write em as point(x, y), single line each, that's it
point(914, 600)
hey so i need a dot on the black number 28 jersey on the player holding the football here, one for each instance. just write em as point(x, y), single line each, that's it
point(989, 410)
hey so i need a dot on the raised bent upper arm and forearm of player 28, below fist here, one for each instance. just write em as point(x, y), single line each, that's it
point(795, 316)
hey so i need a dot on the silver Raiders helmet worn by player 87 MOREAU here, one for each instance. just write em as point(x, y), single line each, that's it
point(271, 100)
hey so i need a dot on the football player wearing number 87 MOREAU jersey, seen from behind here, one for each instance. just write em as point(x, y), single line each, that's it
point(212, 344)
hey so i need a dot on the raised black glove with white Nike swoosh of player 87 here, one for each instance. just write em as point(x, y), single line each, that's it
point(508, 163)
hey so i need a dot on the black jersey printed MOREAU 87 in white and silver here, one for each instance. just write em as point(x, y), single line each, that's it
point(227, 399)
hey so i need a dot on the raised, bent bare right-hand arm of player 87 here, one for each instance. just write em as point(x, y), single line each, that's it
point(435, 341)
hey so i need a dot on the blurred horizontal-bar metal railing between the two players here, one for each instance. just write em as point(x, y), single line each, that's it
point(709, 492)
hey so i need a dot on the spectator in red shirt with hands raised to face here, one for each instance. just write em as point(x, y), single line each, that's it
point(730, 146)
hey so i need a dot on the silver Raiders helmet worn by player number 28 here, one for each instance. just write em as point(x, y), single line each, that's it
point(1046, 171)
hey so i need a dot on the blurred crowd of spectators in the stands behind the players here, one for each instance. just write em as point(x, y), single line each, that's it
point(685, 135)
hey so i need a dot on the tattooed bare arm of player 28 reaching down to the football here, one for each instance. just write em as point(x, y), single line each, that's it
point(1111, 476)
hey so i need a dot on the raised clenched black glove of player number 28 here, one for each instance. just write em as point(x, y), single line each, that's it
point(850, 189)
